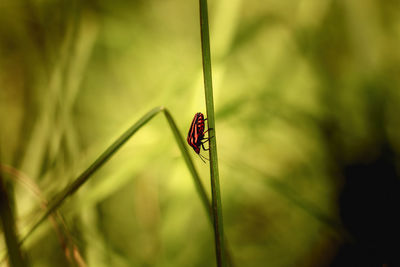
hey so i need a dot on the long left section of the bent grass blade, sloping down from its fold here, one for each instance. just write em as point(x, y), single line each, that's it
point(100, 161)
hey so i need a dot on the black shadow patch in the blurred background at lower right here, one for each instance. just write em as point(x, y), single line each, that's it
point(369, 205)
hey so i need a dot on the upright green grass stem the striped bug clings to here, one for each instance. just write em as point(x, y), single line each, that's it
point(214, 174)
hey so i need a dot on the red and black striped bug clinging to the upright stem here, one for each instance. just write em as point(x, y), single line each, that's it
point(196, 134)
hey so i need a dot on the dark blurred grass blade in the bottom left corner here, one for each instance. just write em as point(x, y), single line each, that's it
point(9, 227)
